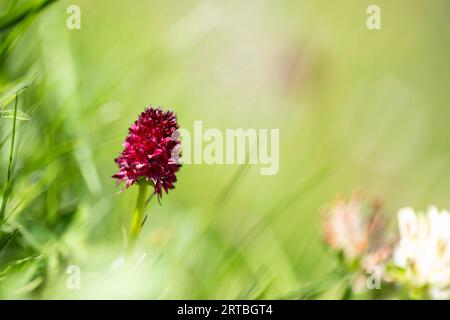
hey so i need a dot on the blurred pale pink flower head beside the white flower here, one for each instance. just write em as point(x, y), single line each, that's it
point(353, 227)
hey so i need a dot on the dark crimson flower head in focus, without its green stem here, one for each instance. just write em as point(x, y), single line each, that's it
point(147, 154)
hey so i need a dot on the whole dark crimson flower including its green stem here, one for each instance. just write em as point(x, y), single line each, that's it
point(148, 161)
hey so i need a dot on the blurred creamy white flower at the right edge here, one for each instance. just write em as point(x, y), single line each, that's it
point(423, 250)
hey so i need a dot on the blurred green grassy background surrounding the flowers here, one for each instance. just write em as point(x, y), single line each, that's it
point(357, 110)
